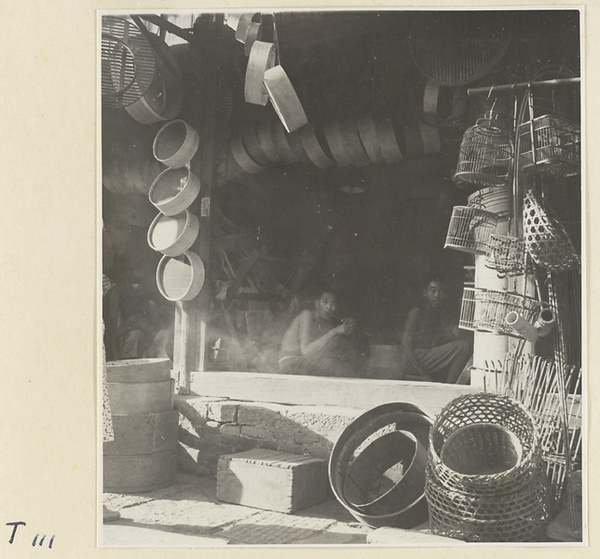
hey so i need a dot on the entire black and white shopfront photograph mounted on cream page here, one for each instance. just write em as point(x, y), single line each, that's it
point(341, 288)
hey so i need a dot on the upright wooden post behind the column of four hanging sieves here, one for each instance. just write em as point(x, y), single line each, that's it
point(191, 317)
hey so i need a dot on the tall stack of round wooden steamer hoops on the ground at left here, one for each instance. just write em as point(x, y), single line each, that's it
point(142, 456)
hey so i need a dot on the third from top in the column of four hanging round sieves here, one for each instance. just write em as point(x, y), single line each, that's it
point(173, 235)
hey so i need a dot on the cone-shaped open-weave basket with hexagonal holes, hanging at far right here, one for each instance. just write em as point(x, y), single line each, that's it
point(546, 239)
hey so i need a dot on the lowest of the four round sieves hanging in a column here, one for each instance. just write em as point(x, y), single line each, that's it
point(181, 278)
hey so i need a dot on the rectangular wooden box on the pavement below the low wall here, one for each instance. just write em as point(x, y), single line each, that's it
point(272, 480)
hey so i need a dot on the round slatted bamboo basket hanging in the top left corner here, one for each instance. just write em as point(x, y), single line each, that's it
point(128, 66)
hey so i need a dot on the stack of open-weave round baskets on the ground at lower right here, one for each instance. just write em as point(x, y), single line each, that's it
point(484, 480)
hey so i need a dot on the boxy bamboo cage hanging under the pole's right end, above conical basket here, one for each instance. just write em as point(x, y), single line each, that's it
point(550, 145)
